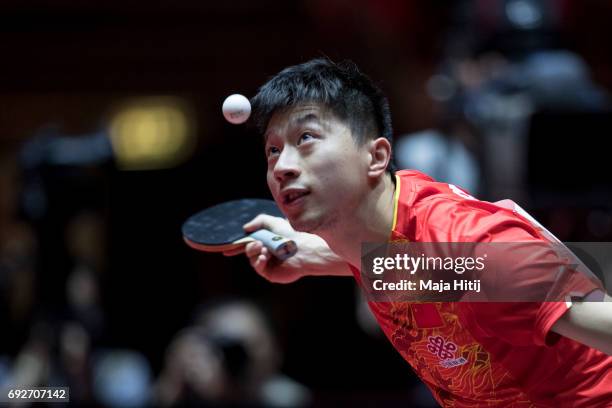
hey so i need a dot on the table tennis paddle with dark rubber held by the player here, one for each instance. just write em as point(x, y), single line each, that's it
point(219, 228)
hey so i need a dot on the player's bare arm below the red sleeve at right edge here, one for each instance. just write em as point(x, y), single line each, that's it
point(589, 323)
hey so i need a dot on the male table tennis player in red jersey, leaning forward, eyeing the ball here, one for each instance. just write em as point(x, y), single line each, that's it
point(327, 132)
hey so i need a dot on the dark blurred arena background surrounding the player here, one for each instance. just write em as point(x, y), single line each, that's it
point(111, 135)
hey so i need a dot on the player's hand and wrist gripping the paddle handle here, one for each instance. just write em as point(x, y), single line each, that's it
point(313, 256)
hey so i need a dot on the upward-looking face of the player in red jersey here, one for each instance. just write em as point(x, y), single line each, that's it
point(316, 172)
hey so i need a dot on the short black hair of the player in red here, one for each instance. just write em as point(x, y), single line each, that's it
point(349, 94)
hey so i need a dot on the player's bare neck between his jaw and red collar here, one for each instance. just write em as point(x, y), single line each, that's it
point(371, 222)
